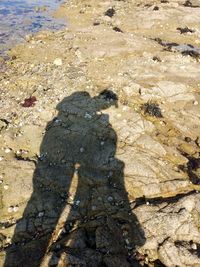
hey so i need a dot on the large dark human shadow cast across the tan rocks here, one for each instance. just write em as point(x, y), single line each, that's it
point(79, 212)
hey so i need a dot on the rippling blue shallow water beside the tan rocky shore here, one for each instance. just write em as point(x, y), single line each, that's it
point(20, 17)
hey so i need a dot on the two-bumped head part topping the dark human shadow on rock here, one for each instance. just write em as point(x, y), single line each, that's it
point(83, 101)
